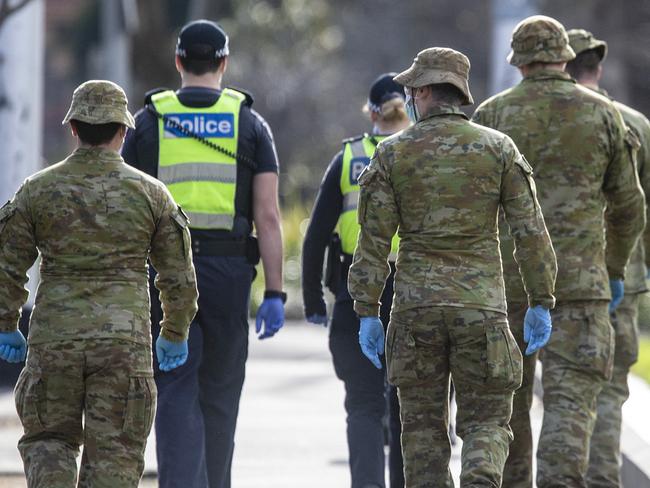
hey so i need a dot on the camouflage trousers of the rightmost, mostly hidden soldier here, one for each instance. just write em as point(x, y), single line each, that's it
point(605, 448)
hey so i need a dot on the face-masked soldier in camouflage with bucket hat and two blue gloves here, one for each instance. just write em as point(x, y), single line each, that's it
point(440, 185)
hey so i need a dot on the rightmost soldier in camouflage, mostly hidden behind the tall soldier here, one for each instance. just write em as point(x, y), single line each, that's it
point(605, 448)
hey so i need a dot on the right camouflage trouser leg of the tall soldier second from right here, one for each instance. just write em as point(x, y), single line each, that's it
point(576, 364)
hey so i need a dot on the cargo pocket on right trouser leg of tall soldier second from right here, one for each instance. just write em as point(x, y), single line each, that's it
point(596, 345)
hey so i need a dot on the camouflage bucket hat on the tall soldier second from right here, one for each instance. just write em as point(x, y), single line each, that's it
point(539, 39)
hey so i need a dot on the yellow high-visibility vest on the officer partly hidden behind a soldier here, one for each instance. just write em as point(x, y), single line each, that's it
point(356, 156)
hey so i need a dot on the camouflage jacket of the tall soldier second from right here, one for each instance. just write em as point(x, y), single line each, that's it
point(576, 142)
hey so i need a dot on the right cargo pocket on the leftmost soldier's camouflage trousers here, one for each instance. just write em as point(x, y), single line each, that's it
point(140, 406)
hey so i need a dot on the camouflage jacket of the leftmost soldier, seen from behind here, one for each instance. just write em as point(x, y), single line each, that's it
point(94, 221)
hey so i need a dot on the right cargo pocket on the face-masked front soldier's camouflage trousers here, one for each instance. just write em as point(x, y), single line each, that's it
point(504, 361)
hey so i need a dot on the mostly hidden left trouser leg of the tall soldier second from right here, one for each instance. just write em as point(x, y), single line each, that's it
point(518, 471)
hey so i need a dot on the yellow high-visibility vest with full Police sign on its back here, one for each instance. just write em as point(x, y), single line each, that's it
point(202, 180)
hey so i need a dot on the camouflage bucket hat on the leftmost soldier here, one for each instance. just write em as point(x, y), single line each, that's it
point(99, 102)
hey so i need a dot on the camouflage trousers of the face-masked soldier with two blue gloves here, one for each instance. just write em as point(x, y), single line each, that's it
point(424, 346)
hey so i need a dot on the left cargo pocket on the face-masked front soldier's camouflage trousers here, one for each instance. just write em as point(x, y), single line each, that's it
point(401, 356)
